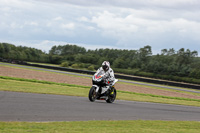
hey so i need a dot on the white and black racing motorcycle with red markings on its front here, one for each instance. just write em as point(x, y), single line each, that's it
point(100, 90)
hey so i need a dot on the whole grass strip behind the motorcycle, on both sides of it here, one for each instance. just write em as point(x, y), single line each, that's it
point(46, 87)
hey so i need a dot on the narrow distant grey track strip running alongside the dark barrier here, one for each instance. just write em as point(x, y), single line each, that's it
point(84, 75)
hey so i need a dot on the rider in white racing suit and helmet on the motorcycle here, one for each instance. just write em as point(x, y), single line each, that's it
point(109, 73)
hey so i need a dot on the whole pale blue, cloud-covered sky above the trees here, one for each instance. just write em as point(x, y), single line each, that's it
point(94, 24)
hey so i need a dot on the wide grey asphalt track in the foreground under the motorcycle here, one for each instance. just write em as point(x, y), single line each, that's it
point(15, 106)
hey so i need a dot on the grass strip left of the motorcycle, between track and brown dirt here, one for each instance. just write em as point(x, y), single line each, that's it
point(43, 87)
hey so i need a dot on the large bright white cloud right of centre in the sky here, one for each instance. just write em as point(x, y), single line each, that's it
point(144, 21)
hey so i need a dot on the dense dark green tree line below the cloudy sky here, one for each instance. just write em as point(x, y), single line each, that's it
point(181, 65)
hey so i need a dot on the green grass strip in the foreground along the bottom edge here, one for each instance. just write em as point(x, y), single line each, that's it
point(138, 126)
